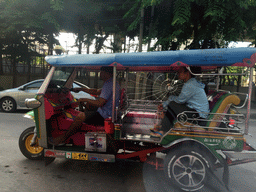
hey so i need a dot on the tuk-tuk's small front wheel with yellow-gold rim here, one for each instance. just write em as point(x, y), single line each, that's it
point(34, 152)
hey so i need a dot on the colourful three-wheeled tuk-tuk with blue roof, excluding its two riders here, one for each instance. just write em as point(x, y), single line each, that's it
point(190, 151)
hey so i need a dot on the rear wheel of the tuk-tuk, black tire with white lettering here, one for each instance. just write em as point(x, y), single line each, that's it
point(187, 168)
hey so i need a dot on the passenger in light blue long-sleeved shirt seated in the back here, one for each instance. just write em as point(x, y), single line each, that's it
point(192, 98)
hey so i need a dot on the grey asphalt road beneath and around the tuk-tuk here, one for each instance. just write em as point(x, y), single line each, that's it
point(20, 174)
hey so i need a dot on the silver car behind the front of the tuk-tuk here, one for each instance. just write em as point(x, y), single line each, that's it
point(12, 99)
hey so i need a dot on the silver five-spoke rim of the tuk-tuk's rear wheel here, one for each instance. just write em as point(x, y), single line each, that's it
point(188, 171)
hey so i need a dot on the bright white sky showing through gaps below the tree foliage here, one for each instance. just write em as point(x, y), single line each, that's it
point(67, 40)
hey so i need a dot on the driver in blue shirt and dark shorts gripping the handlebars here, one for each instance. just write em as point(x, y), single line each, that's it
point(103, 105)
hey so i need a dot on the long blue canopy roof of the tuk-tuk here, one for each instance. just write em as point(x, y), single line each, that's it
point(200, 57)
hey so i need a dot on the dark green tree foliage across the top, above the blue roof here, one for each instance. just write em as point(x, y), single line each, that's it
point(195, 23)
